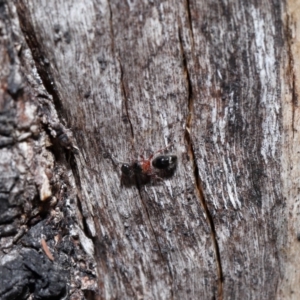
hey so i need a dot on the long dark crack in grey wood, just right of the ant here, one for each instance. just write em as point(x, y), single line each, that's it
point(199, 190)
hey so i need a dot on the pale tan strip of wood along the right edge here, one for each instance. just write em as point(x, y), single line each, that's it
point(288, 286)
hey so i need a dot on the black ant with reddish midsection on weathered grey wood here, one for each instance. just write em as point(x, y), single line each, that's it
point(143, 171)
